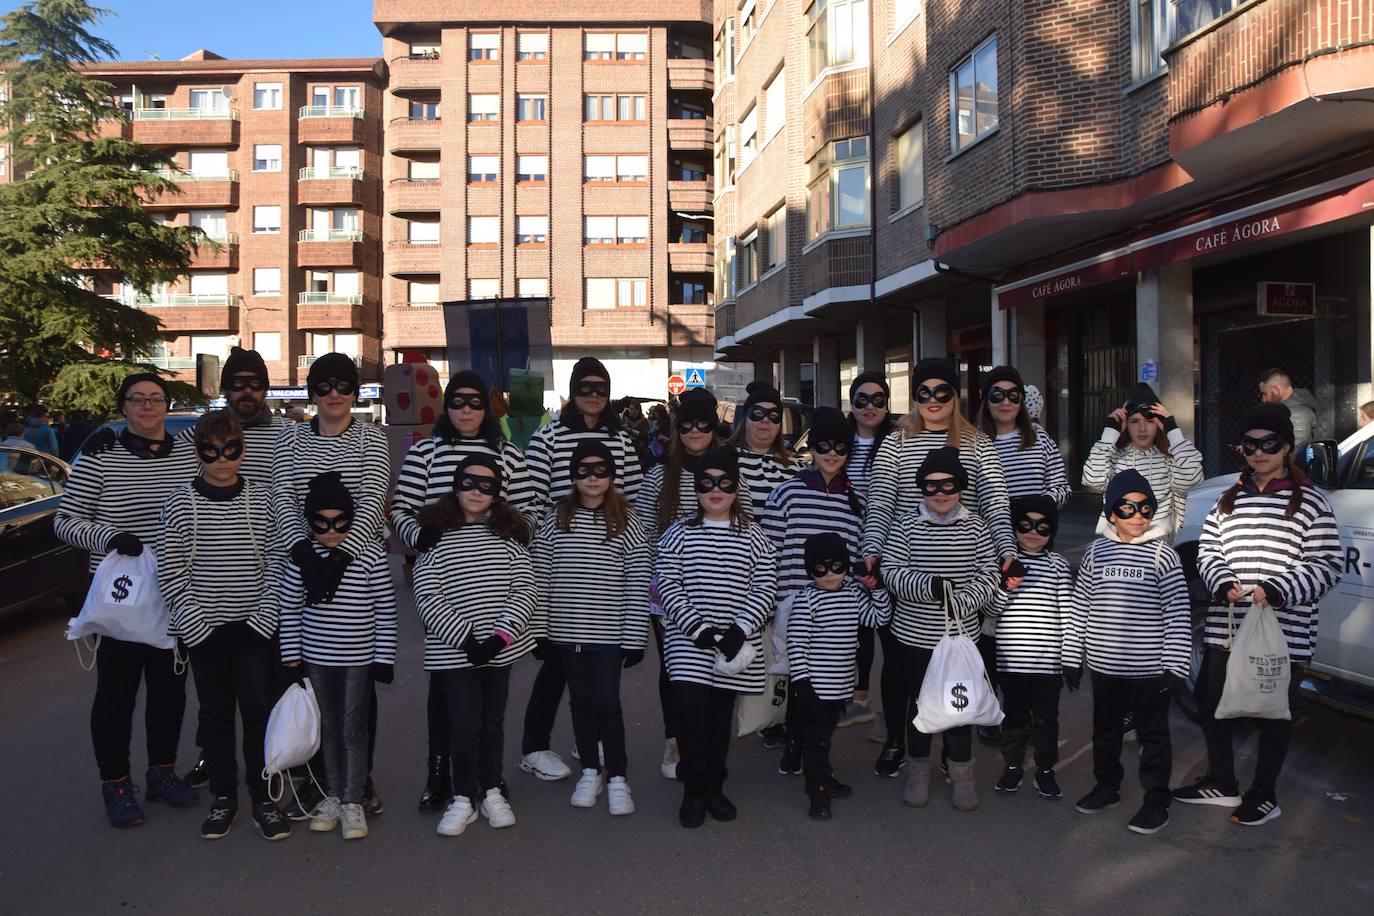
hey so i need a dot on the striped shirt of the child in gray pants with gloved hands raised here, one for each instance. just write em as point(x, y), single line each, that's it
point(357, 627)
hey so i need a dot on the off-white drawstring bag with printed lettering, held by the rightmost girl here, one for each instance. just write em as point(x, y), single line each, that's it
point(1259, 671)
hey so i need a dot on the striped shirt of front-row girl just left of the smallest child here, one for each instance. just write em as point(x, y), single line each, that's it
point(714, 575)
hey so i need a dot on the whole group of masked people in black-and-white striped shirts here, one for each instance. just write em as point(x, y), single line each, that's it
point(897, 532)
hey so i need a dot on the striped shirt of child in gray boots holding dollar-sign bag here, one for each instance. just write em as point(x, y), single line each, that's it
point(960, 550)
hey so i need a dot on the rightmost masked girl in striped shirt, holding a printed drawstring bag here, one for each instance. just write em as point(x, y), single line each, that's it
point(1273, 540)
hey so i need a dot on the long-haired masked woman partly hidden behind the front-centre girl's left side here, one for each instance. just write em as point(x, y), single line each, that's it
point(667, 496)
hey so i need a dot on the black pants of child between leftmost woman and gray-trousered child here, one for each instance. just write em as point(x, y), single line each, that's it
point(229, 678)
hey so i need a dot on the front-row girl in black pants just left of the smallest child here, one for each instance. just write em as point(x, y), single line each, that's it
point(718, 579)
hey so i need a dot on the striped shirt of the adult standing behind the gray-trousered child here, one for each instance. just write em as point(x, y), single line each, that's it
point(359, 454)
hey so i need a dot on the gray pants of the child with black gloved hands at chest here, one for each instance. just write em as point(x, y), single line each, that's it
point(343, 694)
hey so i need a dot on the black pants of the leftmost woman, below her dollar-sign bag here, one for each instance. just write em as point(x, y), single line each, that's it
point(120, 669)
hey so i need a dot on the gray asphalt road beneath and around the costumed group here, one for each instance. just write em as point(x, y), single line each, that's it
point(1016, 855)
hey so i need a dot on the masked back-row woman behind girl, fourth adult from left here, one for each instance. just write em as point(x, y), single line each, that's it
point(466, 428)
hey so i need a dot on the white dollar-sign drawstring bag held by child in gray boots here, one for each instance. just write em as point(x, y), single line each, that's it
point(957, 690)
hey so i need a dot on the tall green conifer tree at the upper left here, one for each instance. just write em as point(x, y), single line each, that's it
point(75, 207)
